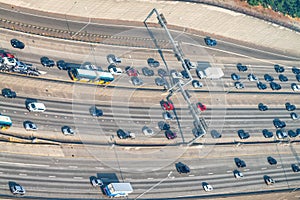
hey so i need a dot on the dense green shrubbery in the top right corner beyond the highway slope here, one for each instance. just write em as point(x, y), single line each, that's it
point(287, 7)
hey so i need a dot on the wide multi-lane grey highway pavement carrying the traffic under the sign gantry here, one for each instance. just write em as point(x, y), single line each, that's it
point(63, 171)
